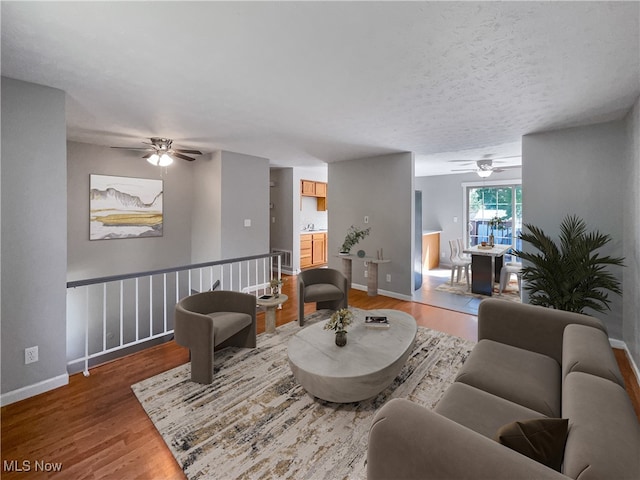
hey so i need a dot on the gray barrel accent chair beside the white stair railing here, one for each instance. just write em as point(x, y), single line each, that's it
point(210, 321)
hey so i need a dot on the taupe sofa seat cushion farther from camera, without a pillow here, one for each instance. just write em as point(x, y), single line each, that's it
point(527, 378)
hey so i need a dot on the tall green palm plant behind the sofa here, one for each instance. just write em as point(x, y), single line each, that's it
point(570, 276)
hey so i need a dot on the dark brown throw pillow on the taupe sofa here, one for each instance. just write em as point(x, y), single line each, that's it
point(541, 439)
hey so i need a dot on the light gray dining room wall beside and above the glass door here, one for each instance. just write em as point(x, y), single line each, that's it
point(443, 199)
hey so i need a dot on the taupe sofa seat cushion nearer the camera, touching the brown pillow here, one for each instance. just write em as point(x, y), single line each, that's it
point(480, 411)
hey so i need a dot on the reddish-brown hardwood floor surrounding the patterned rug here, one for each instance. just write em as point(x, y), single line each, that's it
point(96, 429)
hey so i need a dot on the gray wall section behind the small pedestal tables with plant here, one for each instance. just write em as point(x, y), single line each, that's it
point(383, 189)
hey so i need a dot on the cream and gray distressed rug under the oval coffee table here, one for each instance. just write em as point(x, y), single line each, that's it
point(256, 422)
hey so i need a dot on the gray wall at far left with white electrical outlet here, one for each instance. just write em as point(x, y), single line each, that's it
point(34, 239)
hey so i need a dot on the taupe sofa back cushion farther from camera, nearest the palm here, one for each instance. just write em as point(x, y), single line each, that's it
point(586, 349)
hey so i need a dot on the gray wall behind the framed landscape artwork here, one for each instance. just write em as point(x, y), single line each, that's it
point(88, 259)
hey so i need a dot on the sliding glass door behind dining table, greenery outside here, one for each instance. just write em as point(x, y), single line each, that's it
point(487, 201)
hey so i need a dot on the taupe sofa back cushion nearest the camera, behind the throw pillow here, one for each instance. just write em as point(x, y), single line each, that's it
point(604, 433)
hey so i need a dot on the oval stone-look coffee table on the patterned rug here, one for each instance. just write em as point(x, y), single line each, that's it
point(364, 367)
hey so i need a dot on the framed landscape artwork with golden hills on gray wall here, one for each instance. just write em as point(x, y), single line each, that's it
point(124, 207)
